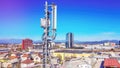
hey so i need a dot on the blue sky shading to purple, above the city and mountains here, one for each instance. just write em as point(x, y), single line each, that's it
point(89, 20)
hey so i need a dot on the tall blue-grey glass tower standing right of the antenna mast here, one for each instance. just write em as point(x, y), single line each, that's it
point(69, 40)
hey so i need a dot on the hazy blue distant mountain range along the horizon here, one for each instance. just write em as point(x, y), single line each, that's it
point(18, 41)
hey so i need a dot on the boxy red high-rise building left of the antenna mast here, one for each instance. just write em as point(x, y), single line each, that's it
point(26, 43)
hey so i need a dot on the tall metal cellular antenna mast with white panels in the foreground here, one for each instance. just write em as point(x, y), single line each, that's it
point(48, 23)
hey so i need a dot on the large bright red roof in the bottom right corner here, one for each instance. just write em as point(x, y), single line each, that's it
point(111, 63)
